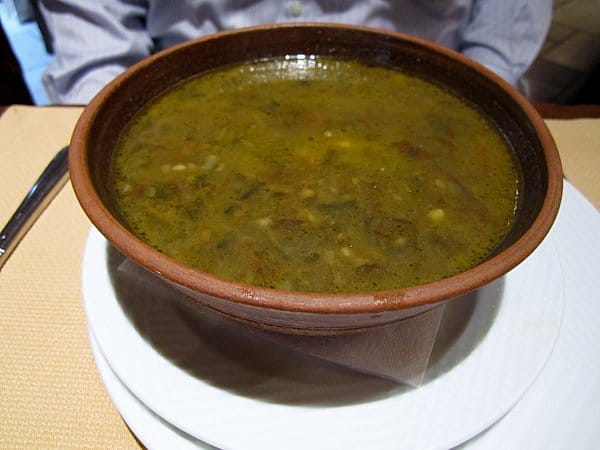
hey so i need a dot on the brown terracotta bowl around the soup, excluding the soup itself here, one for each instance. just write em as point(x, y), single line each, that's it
point(105, 117)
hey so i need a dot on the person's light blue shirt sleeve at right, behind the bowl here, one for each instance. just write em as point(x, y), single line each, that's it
point(506, 36)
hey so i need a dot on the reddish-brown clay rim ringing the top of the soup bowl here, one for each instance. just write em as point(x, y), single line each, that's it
point(310, 302)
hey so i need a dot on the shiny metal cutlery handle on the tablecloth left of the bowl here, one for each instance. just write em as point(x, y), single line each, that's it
point(50, 182)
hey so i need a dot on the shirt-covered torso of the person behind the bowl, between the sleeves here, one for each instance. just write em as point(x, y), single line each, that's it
point(435, 20)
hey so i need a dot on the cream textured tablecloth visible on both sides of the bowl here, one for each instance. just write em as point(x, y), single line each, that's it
point(52, 395)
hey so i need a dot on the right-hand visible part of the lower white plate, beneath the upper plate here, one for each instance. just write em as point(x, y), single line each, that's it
point(560, 410)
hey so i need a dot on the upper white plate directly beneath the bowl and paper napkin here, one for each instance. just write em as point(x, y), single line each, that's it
point(212, 385)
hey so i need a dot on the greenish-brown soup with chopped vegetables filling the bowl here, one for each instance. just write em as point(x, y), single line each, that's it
point(315, 174)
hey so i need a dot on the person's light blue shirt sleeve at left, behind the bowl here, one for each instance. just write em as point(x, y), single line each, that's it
point(93, 42)
